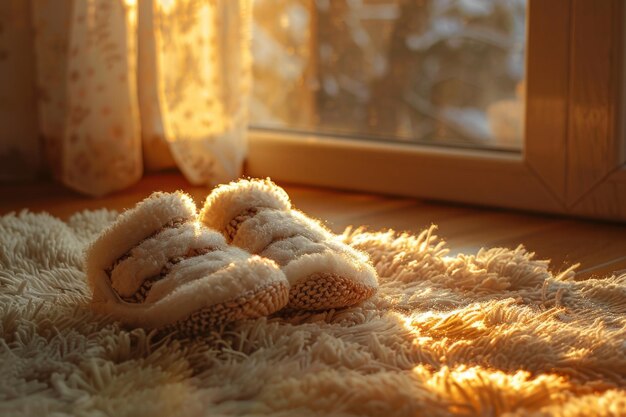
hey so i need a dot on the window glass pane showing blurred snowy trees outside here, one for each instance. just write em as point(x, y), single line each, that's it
point(439, 72)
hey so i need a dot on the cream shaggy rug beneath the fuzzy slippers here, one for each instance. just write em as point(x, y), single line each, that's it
point(492, 334)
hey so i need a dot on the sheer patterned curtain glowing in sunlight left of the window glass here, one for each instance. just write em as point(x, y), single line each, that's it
point(99, 89)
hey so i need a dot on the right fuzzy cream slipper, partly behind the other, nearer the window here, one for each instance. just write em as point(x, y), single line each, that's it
point(322, 271)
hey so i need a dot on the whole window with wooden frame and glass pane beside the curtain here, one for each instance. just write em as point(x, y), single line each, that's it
point(506, 114)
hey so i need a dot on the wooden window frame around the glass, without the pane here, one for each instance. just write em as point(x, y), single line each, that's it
point(573, 159)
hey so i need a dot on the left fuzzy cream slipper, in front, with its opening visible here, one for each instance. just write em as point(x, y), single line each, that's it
point(157, 267)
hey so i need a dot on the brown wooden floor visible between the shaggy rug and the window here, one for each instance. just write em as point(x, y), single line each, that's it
point(600, 248)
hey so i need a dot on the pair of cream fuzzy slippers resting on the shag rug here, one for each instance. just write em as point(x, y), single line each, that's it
point(247, 254)
